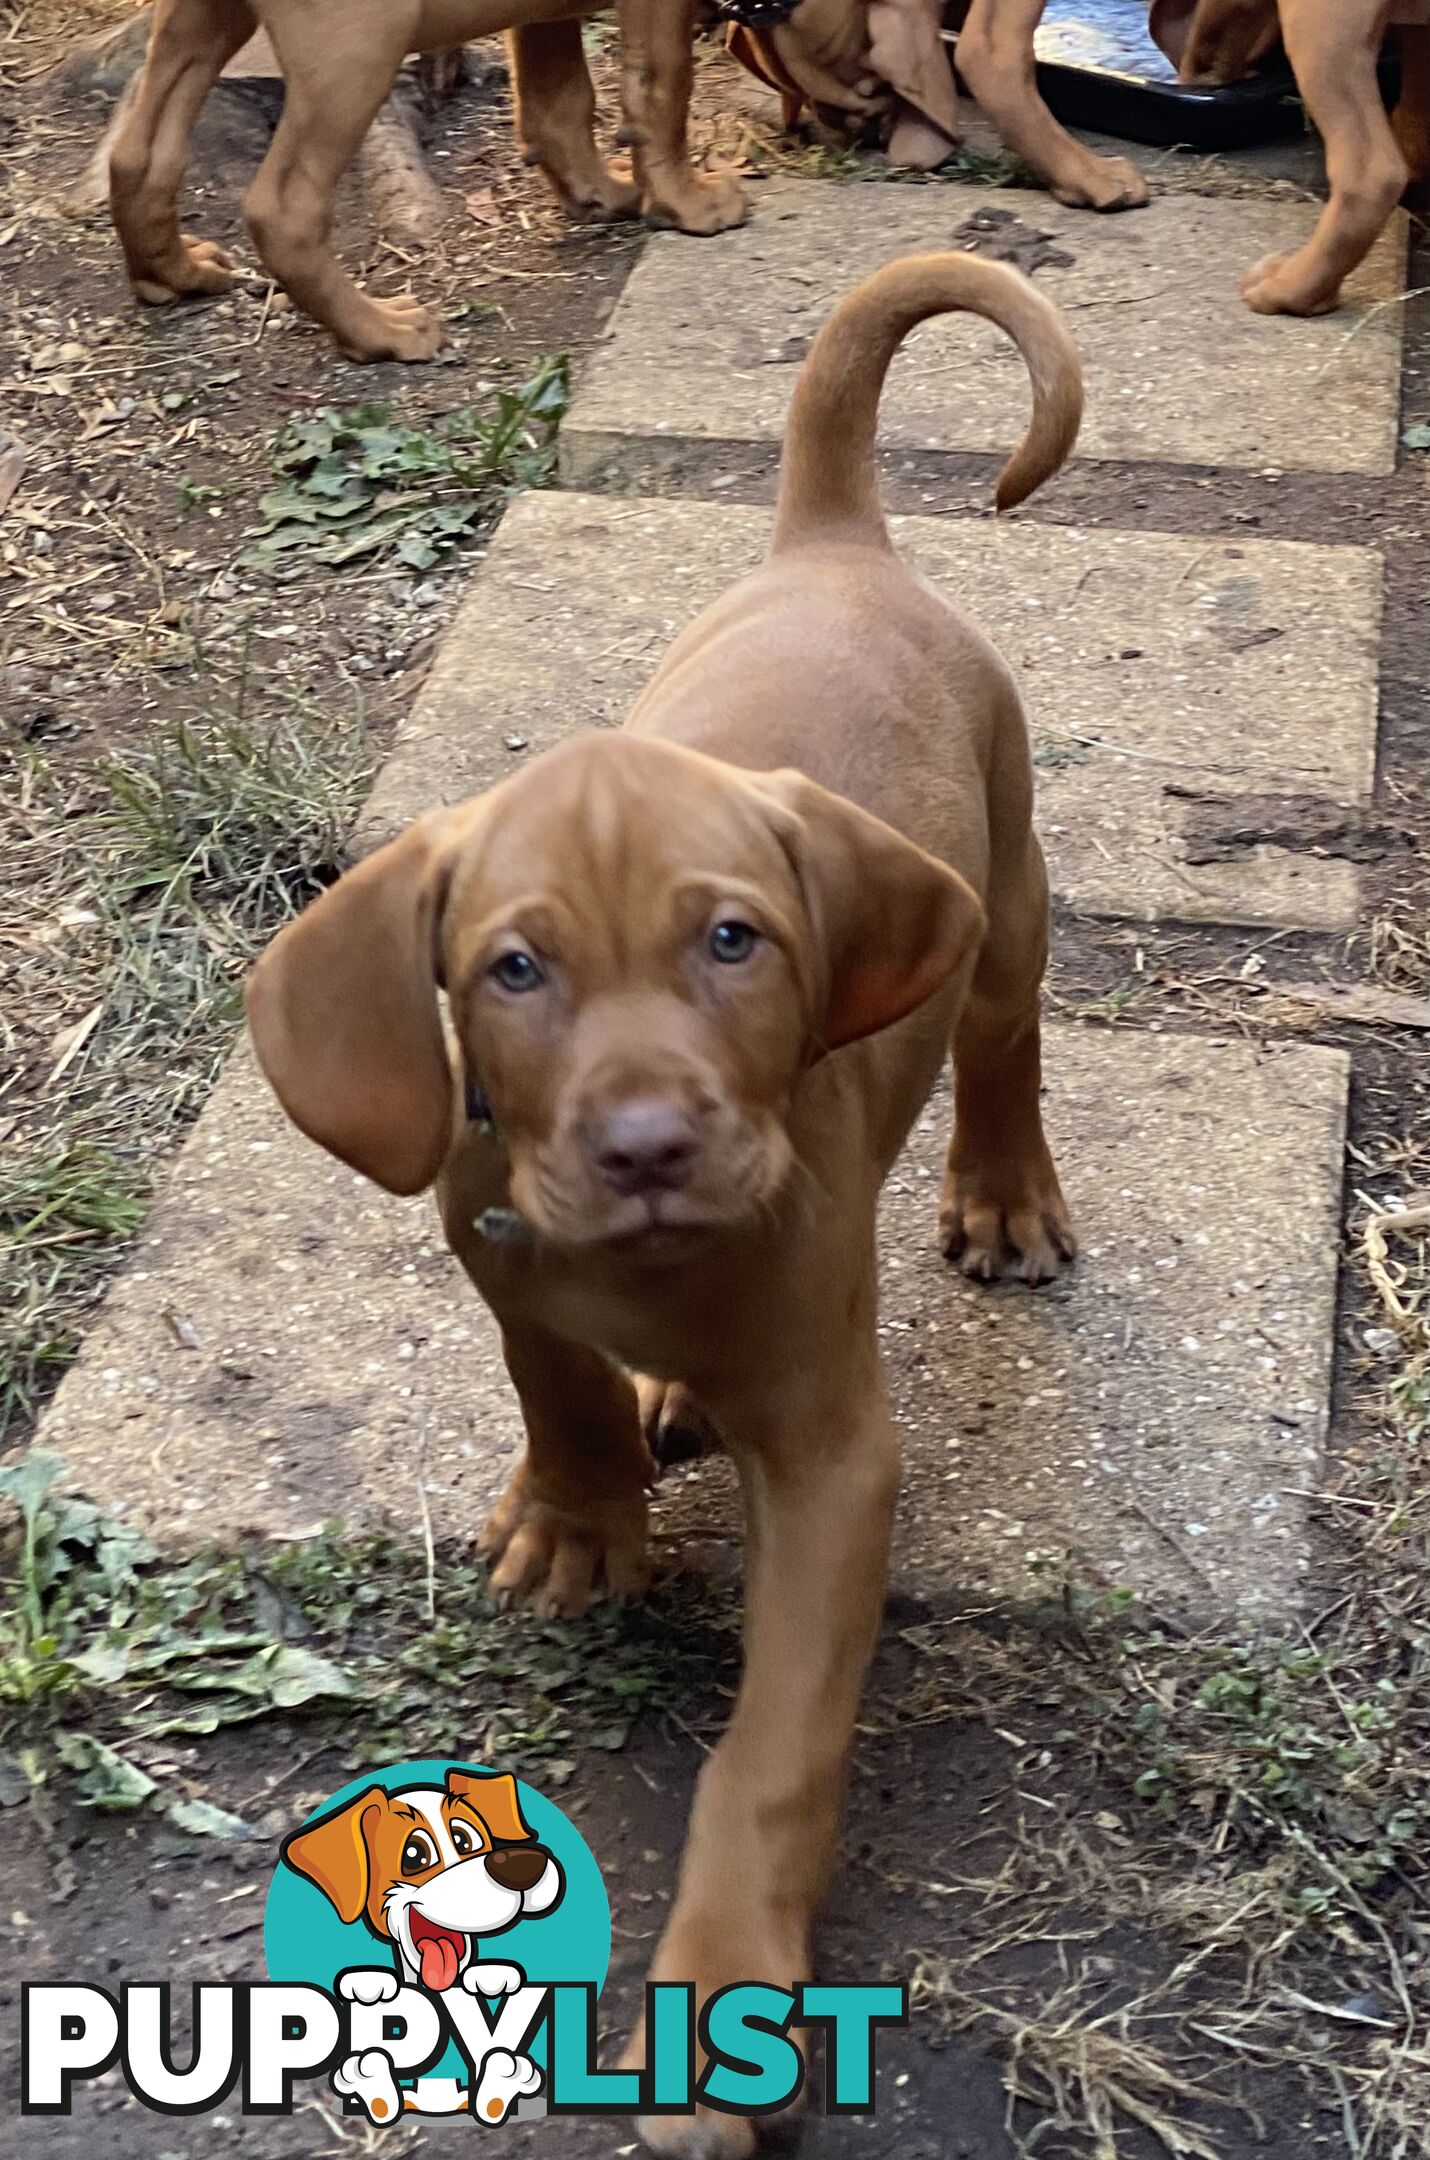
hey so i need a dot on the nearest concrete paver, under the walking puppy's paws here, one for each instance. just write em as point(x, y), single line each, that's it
point(1157, 1414)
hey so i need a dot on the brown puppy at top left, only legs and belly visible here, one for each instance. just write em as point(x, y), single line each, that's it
point(340, 59)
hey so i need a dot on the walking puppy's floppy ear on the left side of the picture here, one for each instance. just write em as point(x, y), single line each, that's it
point(342, 1010)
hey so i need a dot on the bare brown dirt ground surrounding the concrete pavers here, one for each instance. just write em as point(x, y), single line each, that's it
point(1094, 1973)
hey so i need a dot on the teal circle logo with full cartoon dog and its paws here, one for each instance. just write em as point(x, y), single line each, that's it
point(448, 1882)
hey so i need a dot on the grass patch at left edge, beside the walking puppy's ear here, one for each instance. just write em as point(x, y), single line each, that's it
point(150, 885)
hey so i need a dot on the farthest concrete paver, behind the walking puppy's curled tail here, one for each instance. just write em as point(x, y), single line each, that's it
point(1176, 368)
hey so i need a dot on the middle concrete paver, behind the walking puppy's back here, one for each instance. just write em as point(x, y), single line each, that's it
point(1157, 671)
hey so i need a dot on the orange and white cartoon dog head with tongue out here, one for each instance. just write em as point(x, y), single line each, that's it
point(433, 1872)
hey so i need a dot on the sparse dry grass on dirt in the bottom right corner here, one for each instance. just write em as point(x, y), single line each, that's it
point(1250, 1815)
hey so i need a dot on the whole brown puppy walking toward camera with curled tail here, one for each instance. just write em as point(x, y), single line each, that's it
point(703, 975)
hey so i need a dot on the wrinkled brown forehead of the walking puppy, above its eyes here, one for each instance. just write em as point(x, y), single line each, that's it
point(599, 835)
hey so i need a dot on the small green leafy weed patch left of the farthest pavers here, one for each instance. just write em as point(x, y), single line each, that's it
point(362, 487)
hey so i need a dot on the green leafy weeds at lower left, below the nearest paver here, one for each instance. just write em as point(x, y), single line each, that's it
point(107, 1656)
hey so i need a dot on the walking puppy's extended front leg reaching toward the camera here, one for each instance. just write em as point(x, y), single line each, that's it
point(820, 1479)
